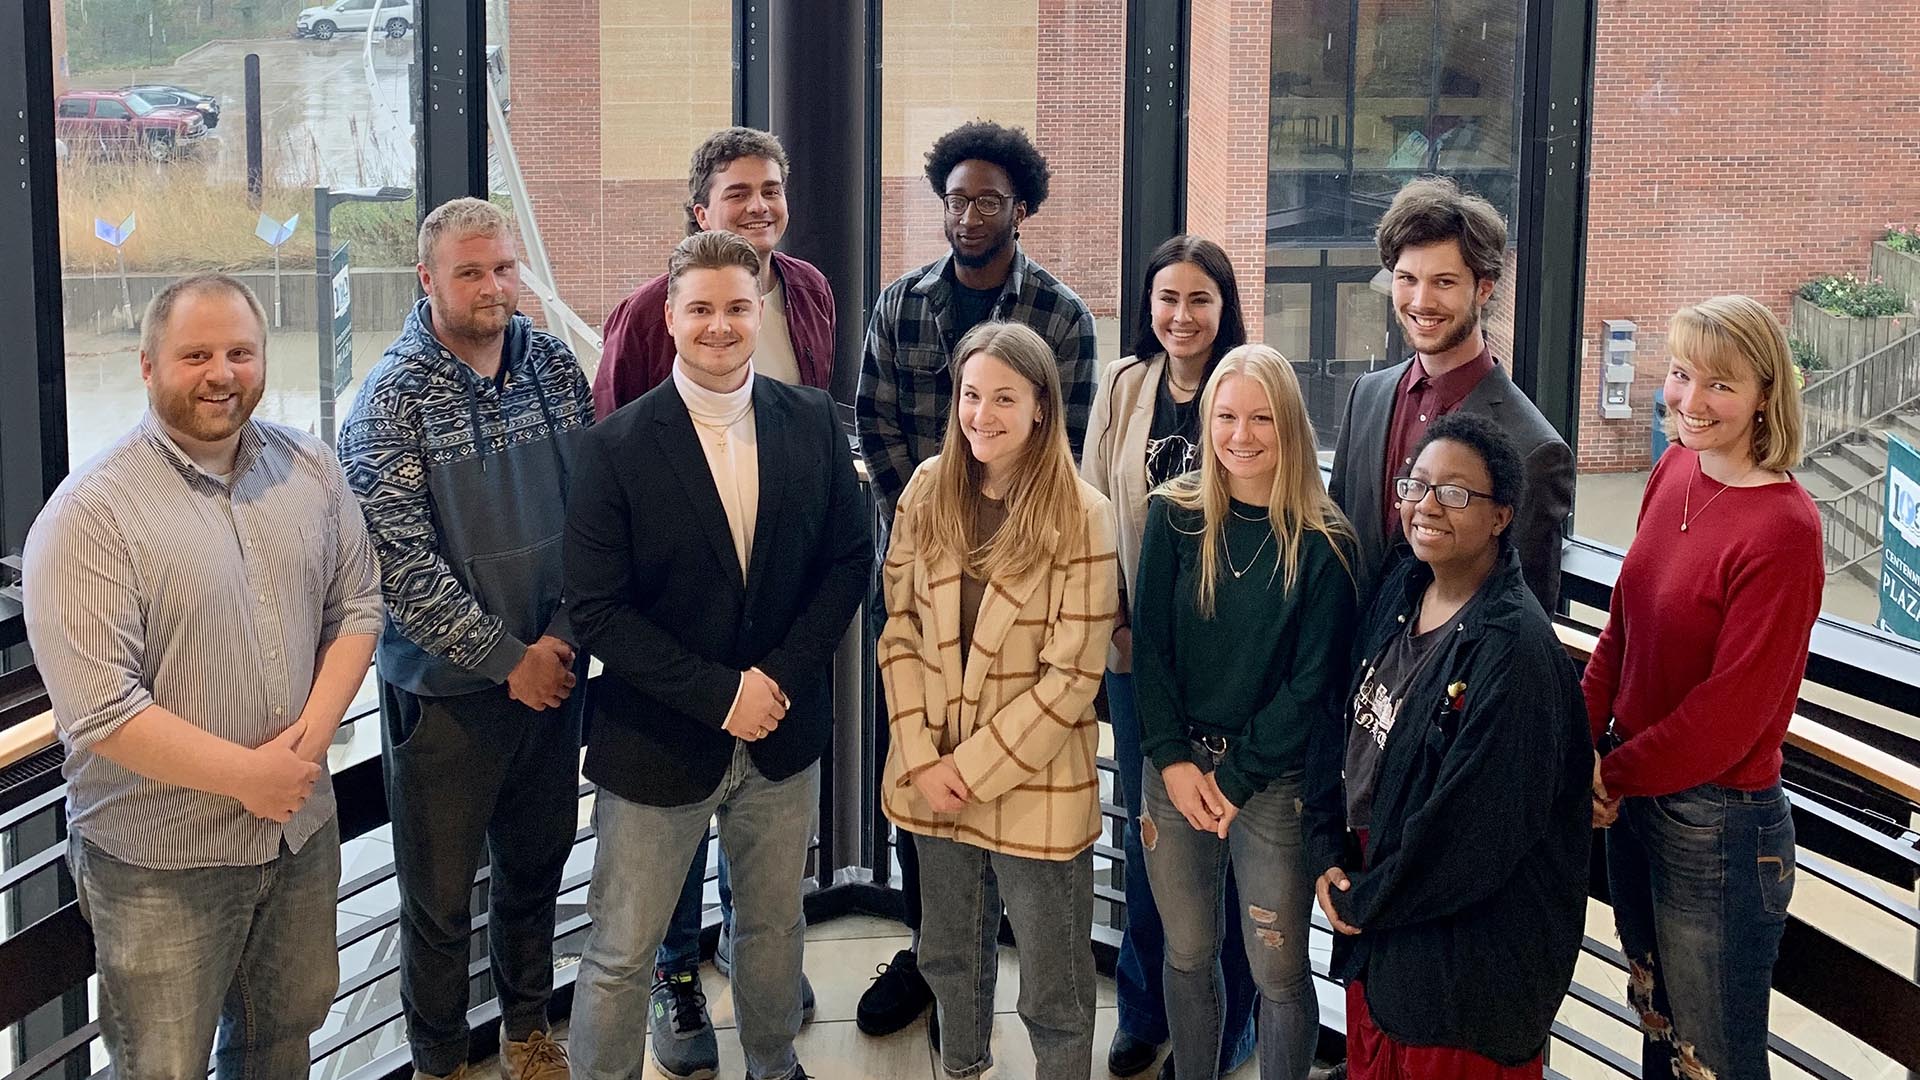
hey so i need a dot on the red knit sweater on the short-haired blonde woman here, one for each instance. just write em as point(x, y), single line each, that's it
point(1706, 647)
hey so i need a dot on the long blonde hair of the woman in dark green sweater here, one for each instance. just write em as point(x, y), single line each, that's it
point(1299, 501)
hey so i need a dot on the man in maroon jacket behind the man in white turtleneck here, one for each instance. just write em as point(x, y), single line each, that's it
point(738, 182)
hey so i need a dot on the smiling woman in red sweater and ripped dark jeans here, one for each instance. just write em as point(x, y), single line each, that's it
point(1691, 691)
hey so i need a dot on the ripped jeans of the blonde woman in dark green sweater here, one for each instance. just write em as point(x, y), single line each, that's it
point(1266, 852)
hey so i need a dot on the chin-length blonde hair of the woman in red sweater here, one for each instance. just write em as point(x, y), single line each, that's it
point(1739, 337)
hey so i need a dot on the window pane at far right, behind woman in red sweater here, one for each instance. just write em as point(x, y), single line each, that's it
point(1798, 185)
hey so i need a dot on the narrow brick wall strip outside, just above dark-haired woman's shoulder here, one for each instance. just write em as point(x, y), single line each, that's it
point(1230, 47)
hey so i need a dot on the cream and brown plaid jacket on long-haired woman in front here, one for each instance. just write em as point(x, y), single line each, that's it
point(1019, 720)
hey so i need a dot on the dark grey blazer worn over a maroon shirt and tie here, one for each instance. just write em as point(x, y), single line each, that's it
point(1360, 476)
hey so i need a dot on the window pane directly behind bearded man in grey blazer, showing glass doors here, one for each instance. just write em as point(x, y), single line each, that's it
point(1293, 172)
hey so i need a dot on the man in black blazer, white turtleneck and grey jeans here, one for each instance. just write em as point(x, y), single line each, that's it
point(717, 549)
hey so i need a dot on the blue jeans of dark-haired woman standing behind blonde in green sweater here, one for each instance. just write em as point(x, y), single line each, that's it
point(1143, 1006)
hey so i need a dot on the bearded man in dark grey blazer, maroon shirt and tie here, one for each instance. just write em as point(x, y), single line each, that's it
point(1445, 251)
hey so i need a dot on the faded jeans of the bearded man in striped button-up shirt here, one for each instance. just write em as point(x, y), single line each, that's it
point(239, 952)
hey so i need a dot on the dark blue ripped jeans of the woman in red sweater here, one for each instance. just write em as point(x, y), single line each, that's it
point(1700, 887)
